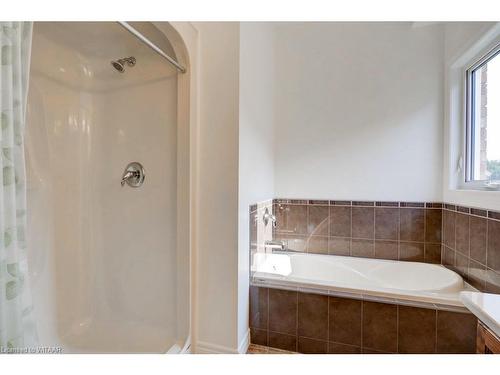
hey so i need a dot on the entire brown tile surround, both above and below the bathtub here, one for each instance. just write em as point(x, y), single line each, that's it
point(464, 239)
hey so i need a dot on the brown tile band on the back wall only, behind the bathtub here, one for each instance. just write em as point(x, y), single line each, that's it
point(385, 230)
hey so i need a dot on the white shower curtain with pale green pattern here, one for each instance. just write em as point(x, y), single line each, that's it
point(17, 328)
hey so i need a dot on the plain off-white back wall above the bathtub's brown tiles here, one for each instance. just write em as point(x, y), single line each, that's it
point(359, 111)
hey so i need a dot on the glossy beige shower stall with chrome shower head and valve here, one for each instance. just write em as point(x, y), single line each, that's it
point(108, 246)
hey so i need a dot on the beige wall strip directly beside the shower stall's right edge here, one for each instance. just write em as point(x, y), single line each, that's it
point(217, 187)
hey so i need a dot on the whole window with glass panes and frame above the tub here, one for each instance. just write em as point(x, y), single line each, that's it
point(483, 121)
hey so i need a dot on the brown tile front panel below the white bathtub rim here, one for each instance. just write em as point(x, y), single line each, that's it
point(314, 323)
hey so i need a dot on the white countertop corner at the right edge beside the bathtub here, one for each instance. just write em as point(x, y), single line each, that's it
point(485, 306)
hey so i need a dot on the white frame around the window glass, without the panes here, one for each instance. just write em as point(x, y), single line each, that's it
point(467, 183)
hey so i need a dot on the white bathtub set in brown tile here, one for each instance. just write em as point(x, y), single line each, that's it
point(376, 279)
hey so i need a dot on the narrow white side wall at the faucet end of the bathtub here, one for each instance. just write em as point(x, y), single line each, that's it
point(256, 141)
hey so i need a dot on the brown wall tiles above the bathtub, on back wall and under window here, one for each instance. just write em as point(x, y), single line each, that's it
point(464, 239)
